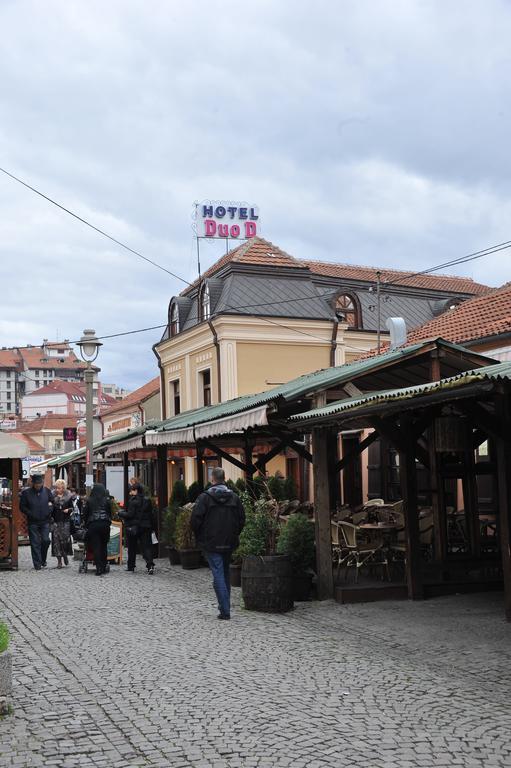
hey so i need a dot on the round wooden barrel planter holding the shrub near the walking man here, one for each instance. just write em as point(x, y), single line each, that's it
point(267, 583)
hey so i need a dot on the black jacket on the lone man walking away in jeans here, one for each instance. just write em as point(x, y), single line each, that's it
point(218, 518)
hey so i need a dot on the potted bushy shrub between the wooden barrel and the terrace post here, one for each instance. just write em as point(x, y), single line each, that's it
point(296, 540)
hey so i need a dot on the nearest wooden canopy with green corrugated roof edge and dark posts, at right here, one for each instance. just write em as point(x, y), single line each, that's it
point(477, 406)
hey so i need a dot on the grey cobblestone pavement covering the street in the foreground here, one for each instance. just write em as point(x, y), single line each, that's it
point(131, 670)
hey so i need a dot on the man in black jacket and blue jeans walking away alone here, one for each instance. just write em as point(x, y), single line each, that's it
point(218, 518)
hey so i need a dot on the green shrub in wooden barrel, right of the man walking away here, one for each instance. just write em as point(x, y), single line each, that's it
point(266, 576)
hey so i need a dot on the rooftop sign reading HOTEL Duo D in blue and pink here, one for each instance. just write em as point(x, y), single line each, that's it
point(226, 220)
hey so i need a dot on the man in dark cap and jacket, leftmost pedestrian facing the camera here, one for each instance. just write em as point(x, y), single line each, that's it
point(36, 502)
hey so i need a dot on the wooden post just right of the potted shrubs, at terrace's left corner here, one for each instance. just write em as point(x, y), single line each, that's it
point(322, 513)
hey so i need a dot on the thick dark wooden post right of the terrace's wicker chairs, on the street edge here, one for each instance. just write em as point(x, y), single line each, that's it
point(408, 477)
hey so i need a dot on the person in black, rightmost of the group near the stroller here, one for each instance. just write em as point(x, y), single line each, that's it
point(139, 521)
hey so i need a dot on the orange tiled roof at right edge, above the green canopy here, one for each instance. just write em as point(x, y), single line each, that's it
point(473, 319)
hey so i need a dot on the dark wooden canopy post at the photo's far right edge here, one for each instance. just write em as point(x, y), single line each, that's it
point(504, 489)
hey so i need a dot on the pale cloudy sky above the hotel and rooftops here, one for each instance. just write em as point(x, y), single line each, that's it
point(368, 131)
